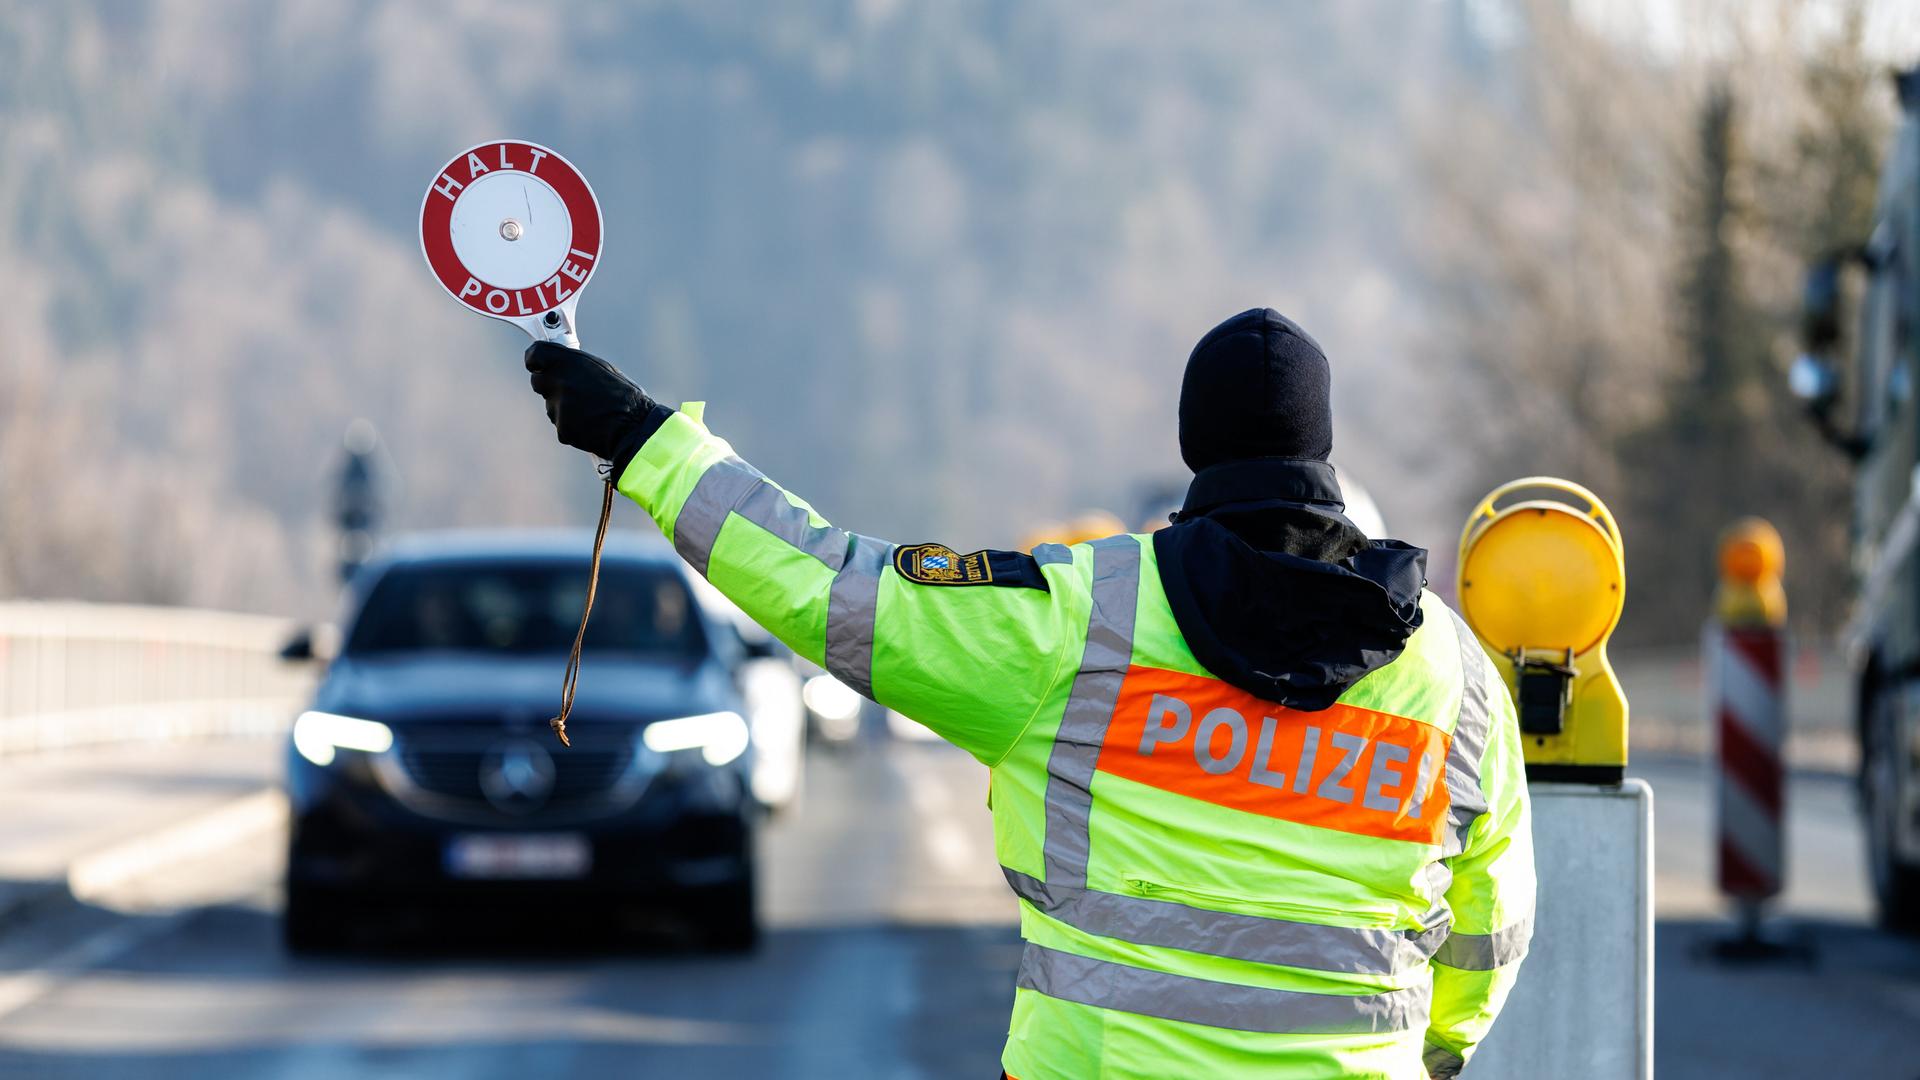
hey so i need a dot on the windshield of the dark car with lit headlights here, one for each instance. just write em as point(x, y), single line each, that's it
point(527, 608)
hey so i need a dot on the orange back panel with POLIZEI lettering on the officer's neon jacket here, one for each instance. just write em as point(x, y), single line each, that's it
point(1345, 768)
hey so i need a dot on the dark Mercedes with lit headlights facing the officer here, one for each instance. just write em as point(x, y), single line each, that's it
point(425, 770)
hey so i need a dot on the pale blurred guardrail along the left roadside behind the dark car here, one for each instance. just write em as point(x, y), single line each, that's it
point(93, 674)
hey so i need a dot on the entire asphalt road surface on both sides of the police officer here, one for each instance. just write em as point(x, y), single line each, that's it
point(890, 956)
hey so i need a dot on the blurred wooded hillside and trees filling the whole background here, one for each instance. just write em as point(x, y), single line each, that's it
point(938, 268)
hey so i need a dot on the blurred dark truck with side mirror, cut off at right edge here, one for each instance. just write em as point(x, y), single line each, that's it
point(1873, 416)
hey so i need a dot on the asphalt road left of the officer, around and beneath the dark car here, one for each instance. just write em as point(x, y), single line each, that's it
point(892, 954)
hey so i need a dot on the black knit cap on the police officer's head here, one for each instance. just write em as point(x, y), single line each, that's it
point(1257, 387)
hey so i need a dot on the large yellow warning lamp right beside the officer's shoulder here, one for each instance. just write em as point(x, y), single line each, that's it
point(1543, 581)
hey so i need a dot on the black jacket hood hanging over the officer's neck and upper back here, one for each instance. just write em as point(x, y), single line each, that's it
point(1278, 593)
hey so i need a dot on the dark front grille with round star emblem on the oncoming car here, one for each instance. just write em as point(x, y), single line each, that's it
point(441, 775)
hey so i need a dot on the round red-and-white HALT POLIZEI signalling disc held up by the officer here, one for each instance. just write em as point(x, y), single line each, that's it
point(514, 232)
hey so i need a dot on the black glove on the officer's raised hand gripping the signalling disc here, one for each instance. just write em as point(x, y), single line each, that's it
point(592, 406)
